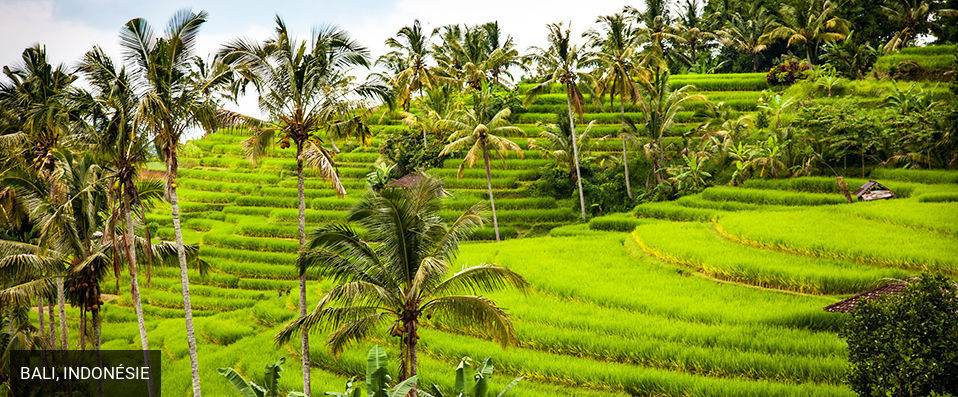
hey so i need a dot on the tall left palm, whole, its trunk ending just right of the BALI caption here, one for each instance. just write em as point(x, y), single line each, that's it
point(172, 100)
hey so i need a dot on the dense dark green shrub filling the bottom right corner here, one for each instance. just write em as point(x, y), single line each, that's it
point(906, 344)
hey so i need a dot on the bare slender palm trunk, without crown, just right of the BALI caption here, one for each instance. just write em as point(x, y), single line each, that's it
point(171, 168)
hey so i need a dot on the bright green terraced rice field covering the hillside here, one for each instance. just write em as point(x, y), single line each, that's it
point(716, 294)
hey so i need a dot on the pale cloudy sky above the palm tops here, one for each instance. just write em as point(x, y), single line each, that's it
point(69, 28)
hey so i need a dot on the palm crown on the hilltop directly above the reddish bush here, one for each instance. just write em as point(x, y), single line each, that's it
point(809, 22)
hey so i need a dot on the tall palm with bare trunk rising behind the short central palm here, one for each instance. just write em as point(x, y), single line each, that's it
point(303, 89)
